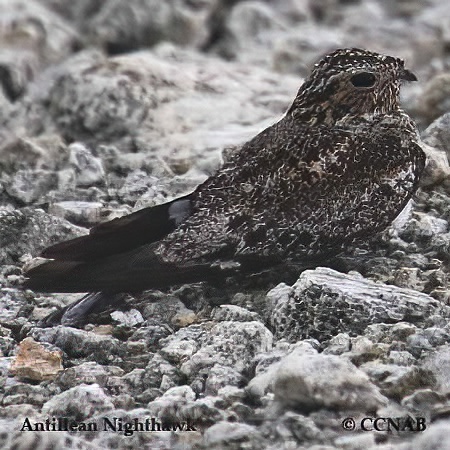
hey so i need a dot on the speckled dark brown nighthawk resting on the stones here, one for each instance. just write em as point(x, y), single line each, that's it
point(335, 170)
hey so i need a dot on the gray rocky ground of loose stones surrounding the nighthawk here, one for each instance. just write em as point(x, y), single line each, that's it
point(110, 106)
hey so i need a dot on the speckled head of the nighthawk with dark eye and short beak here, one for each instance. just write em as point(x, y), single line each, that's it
point(348, 83)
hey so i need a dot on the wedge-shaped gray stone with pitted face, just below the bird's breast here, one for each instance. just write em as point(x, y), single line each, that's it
point(324, 303)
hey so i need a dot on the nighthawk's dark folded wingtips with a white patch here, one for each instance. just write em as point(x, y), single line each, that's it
point(111, 257)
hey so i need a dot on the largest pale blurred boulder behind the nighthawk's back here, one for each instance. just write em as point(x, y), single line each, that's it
point(163, 103)
